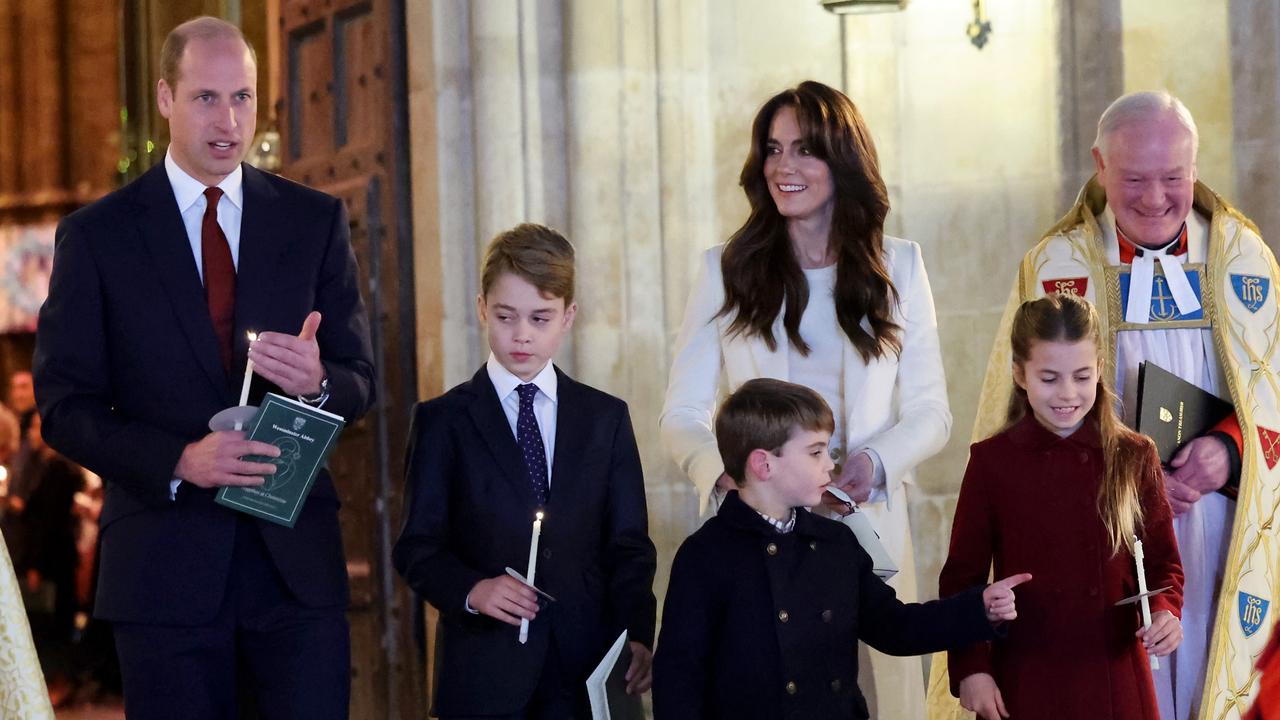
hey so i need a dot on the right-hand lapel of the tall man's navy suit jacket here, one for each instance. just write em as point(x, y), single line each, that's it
point(264, 239)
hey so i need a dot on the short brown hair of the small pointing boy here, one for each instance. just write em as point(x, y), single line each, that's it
point(765, 414)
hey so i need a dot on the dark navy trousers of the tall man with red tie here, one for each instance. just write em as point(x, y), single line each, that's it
point(290, 660)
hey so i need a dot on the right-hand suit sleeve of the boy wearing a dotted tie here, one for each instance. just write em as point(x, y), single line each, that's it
point(629, 552)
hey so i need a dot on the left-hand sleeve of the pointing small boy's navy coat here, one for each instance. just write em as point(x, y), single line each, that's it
point(683, 666)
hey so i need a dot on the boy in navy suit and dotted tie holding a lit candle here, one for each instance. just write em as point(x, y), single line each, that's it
point(518, 439)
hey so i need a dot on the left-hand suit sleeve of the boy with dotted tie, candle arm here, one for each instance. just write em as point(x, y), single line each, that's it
point(424, 555)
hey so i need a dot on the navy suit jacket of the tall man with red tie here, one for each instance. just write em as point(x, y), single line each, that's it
point(127, 373)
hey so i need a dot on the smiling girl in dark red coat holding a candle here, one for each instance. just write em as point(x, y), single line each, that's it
point(1062, 494)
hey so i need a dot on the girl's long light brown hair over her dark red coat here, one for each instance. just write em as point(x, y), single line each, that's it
point(1069, 318)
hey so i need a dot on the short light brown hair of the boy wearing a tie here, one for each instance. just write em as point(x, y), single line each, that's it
point(534, 253)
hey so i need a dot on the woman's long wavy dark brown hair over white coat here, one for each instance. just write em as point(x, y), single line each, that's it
point(760, 267)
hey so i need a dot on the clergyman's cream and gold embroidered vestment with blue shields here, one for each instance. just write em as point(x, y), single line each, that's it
point(1228, 347)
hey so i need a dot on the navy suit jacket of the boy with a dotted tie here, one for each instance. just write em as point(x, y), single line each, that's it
point(470, 517)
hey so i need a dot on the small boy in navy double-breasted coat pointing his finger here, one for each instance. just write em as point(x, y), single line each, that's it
point(767, 601)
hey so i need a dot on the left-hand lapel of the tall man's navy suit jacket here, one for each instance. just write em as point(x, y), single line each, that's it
point(167, 241)
